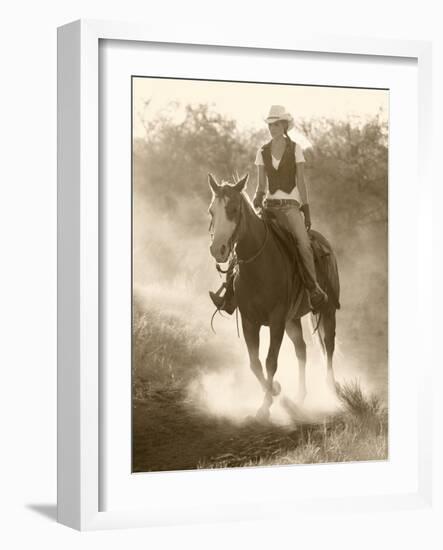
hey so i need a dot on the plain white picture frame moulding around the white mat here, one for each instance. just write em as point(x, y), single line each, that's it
point(79, 368)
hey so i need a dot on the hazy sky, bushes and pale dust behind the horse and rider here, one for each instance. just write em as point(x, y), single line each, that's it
point(185, 129)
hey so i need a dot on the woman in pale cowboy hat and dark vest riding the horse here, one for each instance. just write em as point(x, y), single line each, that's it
point(281, 190)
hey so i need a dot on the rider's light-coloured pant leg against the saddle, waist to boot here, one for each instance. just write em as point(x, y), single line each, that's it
point(291, 217)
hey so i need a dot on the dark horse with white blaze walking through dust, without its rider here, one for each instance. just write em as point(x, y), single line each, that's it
point(268, 286)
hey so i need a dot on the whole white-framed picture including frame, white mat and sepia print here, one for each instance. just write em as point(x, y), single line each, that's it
point(241, 261)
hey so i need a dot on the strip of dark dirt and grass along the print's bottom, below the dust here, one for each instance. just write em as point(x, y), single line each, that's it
point(171, 432)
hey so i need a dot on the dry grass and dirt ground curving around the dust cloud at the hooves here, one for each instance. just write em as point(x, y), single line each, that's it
point(169, 351)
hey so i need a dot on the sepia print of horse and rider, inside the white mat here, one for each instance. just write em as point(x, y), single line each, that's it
point(259, 274)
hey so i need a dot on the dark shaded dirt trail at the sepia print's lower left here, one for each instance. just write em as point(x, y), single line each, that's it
point(170, 432)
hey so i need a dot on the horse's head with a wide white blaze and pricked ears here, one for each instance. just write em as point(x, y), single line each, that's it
point(225, 212)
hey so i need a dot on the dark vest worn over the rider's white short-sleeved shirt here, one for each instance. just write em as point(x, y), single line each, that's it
point(284, 177)
